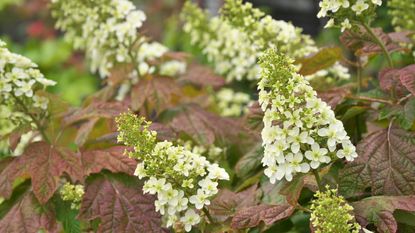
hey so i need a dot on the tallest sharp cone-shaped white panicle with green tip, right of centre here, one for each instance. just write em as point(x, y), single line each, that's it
point(300, 130)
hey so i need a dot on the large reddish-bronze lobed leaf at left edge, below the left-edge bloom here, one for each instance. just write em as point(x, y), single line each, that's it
point(44, 164)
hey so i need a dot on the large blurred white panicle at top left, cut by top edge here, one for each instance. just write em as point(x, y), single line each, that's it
point(108, 32)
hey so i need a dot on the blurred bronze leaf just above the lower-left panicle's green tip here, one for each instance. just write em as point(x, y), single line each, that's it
point(158, 92)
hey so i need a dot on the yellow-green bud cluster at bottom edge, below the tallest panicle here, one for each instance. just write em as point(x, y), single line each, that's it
point(331, 213)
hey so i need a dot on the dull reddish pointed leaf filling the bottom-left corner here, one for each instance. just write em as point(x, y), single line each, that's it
point(27, 216)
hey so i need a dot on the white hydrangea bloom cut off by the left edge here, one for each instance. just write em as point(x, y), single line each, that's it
point(19, 82)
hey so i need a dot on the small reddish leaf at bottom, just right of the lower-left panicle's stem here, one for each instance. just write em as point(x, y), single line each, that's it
point(226, 203)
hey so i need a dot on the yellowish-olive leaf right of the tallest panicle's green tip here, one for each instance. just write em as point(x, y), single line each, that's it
point(323, 59)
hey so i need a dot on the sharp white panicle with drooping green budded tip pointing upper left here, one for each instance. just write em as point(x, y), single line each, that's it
point(184, 181)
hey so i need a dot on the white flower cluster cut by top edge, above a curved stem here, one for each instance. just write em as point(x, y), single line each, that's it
point(344, 13)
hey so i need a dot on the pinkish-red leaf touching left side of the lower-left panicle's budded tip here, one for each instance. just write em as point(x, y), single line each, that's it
point(112, 159)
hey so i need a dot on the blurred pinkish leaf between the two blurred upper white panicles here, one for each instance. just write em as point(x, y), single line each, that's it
point(202, 76)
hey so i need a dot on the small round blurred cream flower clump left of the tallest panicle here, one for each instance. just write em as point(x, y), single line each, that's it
point(231, 103)
